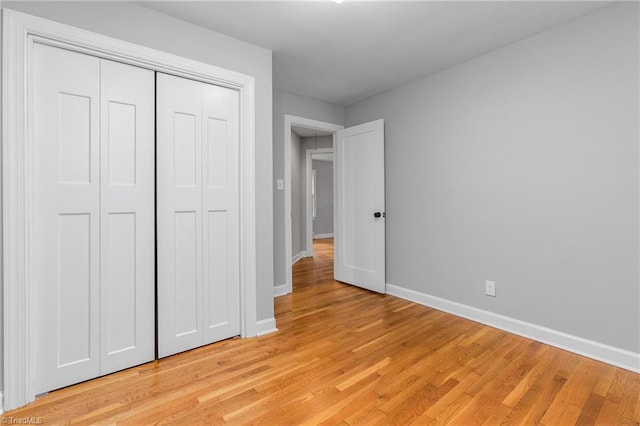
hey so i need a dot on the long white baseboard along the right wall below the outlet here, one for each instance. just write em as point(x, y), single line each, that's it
point(610, 354)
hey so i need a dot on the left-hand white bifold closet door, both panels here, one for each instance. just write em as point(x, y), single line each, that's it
point(92, 253)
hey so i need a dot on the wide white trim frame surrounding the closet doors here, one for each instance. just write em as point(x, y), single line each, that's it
point(20, 32)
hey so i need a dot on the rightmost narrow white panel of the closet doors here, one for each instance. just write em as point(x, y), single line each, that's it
point(221, 251)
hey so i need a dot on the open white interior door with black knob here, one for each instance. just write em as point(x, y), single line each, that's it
point(359, 256)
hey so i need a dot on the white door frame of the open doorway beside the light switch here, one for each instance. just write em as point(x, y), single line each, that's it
point(289, 121)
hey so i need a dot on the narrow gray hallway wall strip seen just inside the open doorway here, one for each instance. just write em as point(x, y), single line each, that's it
point(297, 196)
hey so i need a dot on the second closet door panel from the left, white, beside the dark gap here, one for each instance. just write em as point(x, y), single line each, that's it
point(127, 211)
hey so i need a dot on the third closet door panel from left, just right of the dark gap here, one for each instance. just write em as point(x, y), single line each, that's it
point(179, 213)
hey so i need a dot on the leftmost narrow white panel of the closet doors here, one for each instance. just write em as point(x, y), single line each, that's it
point(66, 207)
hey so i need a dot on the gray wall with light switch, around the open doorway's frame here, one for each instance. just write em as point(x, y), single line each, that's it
point(288, 103)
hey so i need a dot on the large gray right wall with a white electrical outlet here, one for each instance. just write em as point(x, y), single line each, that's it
point(521, 166)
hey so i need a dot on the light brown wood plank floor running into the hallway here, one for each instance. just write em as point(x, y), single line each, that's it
point(346, 356)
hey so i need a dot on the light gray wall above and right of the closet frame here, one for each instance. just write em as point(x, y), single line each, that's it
point(137, 24)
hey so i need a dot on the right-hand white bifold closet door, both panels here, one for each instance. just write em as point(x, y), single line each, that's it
point(197, 213)
